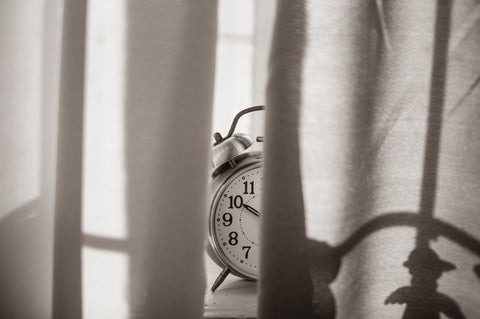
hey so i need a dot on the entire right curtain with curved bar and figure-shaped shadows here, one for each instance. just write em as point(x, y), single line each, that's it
point(379, 102)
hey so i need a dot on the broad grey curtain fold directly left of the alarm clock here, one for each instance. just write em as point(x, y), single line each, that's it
point(169, 95)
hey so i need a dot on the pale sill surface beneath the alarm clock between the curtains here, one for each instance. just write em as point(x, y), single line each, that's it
point(235, 298)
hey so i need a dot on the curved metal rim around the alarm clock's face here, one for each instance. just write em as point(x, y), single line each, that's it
point(248, 162)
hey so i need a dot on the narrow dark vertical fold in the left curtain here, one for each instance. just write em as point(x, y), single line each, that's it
point(67, 268)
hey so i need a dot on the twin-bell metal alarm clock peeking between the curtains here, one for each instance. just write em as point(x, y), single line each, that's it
point(234, 216)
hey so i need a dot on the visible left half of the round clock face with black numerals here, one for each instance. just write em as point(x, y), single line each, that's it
point(236, 221)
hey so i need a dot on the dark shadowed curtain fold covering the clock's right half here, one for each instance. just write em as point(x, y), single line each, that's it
point(284, 270)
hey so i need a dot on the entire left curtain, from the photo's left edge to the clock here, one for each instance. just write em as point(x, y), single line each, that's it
point(168, 94)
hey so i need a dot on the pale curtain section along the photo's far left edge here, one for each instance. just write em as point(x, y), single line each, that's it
point(29, 70)
